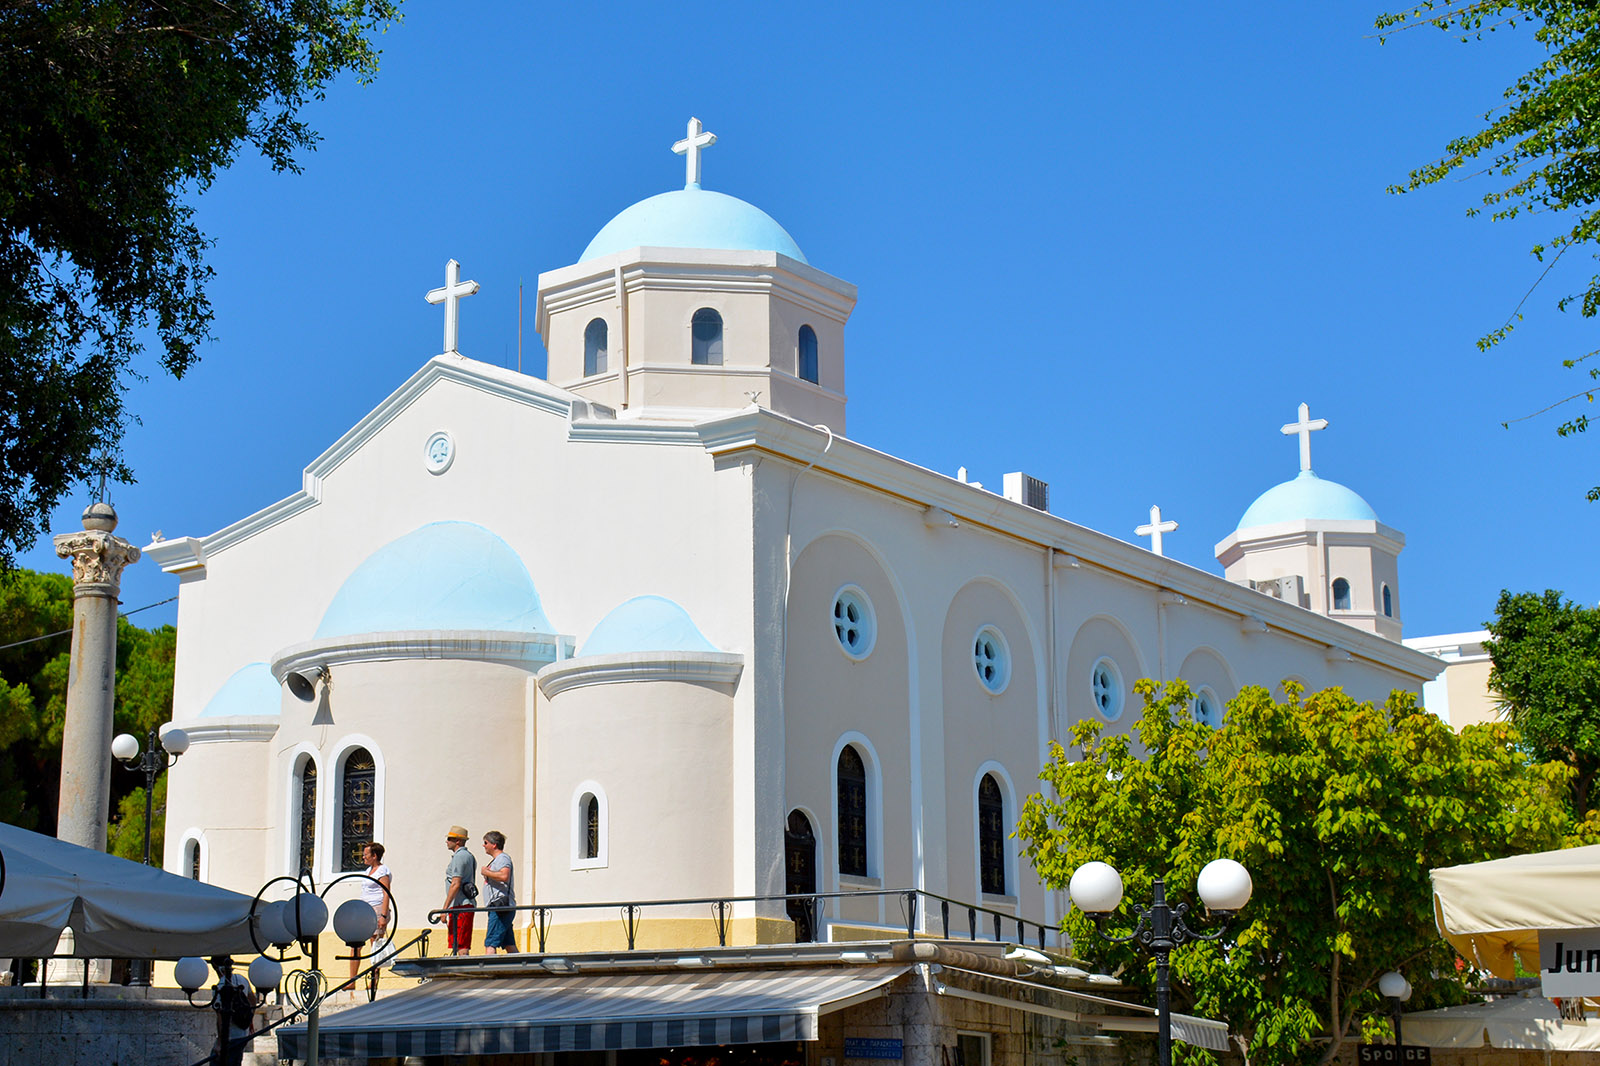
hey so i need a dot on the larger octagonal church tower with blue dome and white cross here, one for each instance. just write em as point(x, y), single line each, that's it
point(690, 303)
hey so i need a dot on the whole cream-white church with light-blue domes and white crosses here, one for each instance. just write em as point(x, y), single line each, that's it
point(665, 625)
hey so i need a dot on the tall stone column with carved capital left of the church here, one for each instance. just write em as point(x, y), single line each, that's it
point(98, 561)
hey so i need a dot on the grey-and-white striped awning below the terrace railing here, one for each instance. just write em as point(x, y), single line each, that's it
point(585, 1012)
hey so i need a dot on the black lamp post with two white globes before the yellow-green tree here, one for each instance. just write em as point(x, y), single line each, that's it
point(1225, 888)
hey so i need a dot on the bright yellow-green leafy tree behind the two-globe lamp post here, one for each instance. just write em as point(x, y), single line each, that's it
point(1337, 808)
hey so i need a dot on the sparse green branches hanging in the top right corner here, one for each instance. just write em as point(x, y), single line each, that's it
point(1543, 148)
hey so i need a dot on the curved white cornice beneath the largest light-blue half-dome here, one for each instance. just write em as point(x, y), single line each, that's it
point(527, 651)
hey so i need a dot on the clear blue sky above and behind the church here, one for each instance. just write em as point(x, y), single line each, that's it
point(1111, 247)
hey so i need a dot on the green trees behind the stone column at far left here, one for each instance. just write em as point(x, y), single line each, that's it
point(34, 702)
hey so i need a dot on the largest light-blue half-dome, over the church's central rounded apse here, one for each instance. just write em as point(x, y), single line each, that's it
point(447, 575)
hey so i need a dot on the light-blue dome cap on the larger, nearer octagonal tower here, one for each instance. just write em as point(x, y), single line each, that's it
point(694, 218)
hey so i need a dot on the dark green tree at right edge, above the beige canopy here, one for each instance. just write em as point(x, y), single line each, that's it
point(1546, 655)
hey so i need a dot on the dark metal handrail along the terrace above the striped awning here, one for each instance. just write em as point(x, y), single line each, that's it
point(631, 913)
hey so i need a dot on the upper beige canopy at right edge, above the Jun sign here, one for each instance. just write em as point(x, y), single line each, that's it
point(1494, 912)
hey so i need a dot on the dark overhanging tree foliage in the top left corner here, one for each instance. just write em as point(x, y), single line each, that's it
point(116, 113)
